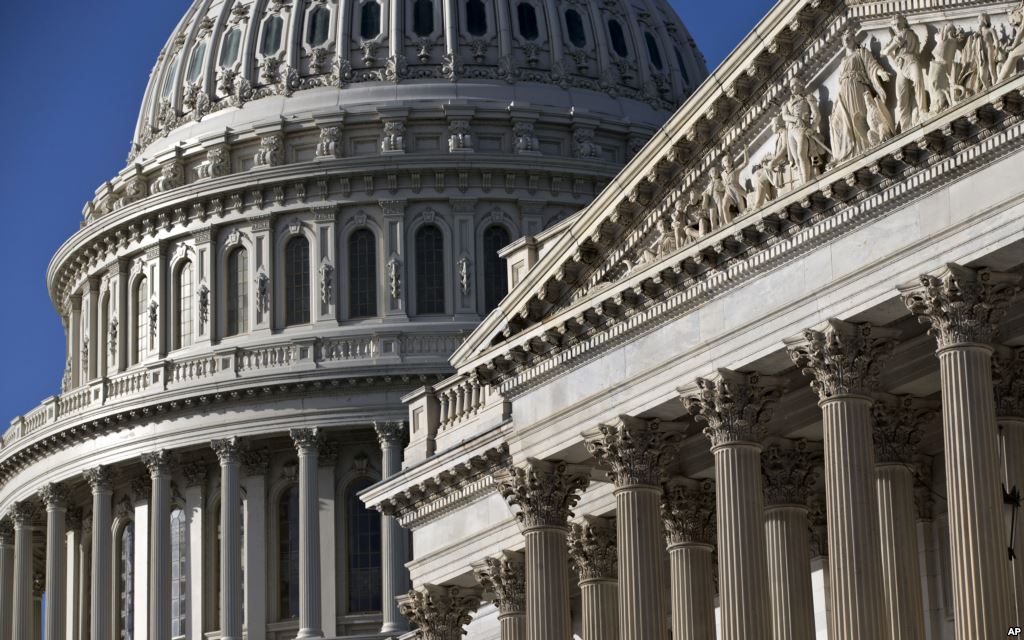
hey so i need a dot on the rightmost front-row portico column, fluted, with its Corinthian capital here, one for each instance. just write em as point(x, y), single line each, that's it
point(964, 308)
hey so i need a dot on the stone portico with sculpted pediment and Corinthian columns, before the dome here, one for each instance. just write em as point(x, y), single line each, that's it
point(770, 383)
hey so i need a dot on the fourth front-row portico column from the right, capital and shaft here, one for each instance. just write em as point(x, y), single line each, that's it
point(636, 452)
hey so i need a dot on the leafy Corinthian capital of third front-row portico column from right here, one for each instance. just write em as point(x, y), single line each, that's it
point(735, 406)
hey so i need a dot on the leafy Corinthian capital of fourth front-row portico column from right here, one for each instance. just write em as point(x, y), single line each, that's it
point(635, 450)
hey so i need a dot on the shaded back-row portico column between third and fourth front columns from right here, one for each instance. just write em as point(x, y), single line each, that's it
point(689, 513)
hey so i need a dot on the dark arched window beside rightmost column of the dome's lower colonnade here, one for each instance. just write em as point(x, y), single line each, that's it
point(364, 552)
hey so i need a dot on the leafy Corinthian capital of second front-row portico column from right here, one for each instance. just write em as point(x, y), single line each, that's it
point(843, 359)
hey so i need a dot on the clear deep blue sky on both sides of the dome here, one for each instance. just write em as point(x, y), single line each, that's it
point(69, 105)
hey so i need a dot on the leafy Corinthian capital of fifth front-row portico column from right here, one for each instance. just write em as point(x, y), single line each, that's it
point(544, 492)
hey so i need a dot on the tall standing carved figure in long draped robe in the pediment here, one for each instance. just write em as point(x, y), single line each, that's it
point(861, 79)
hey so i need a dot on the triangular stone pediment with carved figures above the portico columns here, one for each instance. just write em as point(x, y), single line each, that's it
point(779, 134)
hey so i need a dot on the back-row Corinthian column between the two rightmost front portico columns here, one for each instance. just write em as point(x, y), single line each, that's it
point(898, 434)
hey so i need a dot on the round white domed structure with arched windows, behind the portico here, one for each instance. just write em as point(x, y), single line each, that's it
point(309, 226)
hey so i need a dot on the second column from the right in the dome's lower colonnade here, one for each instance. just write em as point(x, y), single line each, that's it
point(308, 445)
